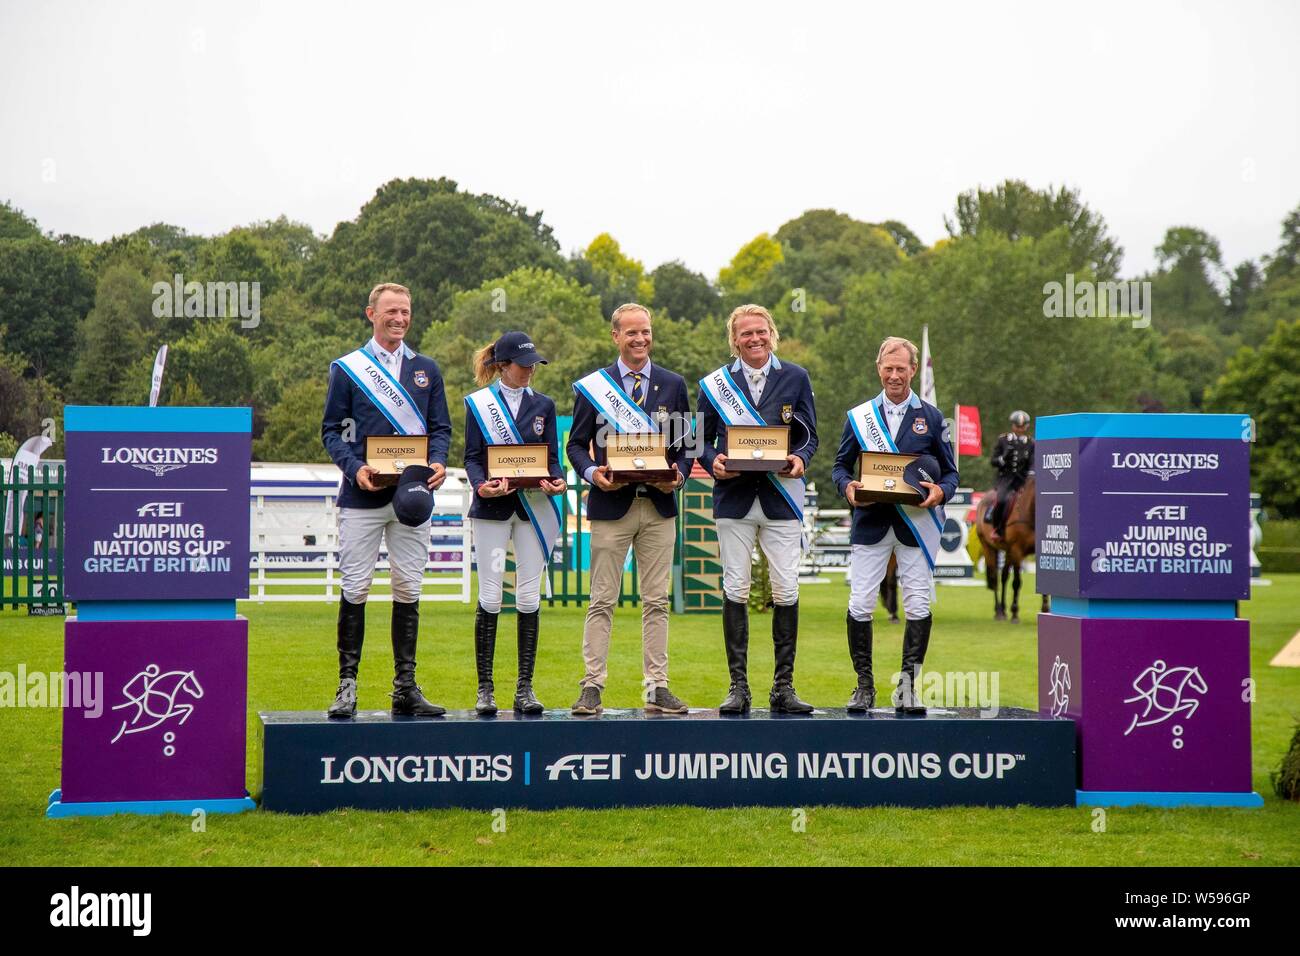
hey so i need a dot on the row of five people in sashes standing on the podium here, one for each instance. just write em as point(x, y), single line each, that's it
point(387, 390)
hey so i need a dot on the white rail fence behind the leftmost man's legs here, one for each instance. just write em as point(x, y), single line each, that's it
point(294, 542)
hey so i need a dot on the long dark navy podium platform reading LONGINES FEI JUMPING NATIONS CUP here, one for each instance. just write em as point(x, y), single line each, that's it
point(951, 758)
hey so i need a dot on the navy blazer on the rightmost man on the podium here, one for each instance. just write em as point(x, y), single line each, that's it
point(872, 522)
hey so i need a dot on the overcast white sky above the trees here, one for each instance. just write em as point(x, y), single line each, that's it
point(683, 129)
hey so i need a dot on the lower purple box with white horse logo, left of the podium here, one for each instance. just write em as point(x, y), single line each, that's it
point(174, 715)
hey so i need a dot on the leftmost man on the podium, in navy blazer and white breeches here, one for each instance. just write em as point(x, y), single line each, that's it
point(366, 509)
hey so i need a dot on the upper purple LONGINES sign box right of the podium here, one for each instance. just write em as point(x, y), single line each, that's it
point(1143, 518)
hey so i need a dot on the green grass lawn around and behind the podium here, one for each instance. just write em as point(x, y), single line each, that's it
point(293, 668)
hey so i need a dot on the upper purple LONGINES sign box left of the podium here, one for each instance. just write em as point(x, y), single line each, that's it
point(157, 516)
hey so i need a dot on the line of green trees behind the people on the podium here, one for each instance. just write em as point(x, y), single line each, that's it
point(80, 321)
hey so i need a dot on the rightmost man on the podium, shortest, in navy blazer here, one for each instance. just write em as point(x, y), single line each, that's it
point(881, 529)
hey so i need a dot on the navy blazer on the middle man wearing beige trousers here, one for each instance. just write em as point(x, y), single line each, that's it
point(666, 392)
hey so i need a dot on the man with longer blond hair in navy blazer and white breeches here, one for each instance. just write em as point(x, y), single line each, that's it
point(751, 505)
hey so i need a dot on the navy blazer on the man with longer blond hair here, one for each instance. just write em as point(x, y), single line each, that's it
point(787, 400)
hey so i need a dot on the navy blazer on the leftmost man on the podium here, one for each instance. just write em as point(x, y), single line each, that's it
point(346, 401)
